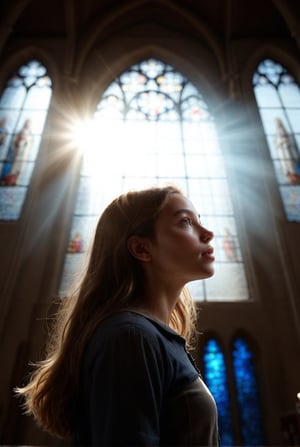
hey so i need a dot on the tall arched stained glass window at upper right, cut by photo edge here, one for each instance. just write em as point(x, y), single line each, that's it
point(278, 99)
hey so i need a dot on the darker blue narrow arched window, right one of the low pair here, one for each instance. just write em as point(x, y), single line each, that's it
point(247, 394)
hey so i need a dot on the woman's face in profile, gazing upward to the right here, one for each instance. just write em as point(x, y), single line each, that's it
point(181, 246)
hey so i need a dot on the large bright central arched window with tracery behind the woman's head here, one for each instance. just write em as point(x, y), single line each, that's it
point(152, 127)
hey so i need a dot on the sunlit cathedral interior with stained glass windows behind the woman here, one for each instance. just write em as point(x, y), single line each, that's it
point(103, 96)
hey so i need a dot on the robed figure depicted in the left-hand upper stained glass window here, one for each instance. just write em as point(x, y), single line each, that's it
point(17, 155)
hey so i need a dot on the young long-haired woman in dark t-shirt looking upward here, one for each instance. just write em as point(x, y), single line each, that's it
point(117, 371)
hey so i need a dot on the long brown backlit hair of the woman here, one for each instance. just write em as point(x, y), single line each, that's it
point(113, 281)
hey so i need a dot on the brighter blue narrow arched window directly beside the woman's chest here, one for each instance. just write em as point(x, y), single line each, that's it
point(215, 376)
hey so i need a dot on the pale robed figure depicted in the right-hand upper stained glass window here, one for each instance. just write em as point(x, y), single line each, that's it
point(287, 153)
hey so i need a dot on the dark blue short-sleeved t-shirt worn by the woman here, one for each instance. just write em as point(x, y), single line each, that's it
point(140, 387)
